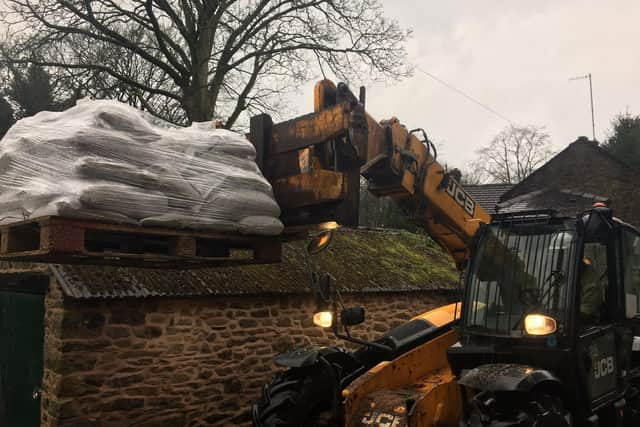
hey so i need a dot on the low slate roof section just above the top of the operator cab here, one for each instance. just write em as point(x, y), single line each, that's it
point(565, 202)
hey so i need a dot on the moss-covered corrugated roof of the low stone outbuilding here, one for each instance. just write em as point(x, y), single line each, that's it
point(361, 261)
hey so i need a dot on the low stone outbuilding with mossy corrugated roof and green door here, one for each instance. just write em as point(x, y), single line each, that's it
point(110, 346)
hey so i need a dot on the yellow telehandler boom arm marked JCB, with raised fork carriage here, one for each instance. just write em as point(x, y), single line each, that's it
point(314, 163)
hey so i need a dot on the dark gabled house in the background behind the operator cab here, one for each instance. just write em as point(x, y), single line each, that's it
point(570, 182)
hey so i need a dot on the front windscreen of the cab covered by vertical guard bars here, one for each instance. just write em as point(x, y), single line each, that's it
point(521, 268)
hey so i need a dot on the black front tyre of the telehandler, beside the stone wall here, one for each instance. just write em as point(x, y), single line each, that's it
point(298, 397)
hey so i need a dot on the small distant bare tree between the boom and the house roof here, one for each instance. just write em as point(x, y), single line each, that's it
point(514, 154)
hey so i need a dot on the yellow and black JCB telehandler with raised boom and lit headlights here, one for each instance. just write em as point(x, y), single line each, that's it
point(544, 334)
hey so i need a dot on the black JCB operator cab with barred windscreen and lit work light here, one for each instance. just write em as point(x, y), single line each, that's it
point(555, 301)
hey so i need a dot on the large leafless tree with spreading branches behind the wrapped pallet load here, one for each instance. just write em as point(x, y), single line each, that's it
point(194, 60)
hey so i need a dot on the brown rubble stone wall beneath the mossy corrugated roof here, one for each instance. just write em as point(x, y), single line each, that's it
point(183, 362)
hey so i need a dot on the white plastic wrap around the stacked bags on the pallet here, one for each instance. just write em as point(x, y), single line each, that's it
point(108, 161)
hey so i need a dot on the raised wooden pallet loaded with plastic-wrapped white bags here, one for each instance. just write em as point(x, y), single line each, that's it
point(105, 183)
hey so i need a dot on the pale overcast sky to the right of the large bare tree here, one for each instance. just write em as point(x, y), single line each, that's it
point(516, 57)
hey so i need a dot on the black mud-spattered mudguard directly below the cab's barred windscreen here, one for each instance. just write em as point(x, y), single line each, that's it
point(506, 377)
